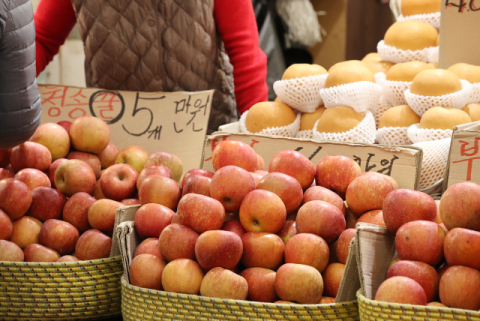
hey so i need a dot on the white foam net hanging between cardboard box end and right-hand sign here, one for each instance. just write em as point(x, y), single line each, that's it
point(435, 157)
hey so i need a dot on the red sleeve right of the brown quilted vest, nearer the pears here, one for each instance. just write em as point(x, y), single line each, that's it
point(238, 28)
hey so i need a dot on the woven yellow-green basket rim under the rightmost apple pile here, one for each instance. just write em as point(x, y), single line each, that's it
point(378, 311)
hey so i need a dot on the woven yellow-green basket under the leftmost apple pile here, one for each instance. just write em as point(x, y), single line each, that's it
point(60, 291)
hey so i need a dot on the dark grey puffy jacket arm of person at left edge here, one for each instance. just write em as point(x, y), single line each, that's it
point(20, 105)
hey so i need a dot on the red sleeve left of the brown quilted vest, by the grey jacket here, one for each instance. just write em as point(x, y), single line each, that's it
point(54, 20)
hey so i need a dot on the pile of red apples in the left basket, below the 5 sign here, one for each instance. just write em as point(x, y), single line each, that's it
point(60, 190)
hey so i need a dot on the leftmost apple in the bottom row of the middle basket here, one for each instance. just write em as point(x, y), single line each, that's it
point(146, 271)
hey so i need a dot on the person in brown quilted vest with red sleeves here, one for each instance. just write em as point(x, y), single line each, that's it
point(163, 45)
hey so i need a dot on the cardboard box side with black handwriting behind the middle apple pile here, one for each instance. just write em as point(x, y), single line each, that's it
point(401, 163)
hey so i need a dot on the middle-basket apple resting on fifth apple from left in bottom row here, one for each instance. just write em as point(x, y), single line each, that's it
point(307, 249)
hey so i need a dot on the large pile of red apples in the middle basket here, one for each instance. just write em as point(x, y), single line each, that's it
point(244, 233)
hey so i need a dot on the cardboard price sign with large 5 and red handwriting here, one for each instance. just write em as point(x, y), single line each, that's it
point(157, 121)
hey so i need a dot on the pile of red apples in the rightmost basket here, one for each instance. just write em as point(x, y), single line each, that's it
point(435, 260)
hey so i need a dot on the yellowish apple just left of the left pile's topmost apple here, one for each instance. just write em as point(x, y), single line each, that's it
point(54, 137)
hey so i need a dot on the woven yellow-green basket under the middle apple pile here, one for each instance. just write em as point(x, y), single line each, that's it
point(143, 304)
